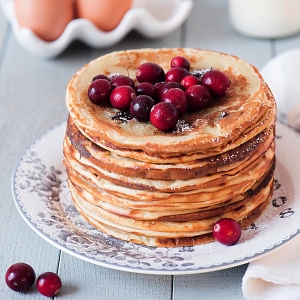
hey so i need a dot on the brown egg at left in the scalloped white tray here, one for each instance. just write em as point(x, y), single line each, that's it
point(46, 18)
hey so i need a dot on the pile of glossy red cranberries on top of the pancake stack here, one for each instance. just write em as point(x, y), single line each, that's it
point(160, 97)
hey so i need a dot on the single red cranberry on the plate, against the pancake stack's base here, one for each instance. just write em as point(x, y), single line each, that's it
point(227, 231)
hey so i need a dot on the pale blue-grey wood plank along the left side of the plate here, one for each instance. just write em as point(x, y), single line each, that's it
point(32, 95)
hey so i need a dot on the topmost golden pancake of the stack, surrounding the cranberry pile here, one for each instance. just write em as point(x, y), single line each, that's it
point(247, 109)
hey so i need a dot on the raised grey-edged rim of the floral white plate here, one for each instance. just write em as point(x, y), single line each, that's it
point(170, 269)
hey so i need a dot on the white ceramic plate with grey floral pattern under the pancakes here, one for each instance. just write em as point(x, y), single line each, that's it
point(42, 198)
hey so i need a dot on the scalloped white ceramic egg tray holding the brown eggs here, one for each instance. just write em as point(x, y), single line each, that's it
point(152, 19)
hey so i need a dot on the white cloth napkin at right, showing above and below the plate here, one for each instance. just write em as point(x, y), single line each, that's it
point(276, 276)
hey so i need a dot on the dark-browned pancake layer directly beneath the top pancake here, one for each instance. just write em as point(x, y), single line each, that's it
point(83, 148)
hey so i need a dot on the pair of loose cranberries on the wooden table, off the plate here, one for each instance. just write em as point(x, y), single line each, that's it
point(20, 277)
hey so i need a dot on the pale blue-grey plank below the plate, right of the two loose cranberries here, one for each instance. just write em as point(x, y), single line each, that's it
point(86, 281)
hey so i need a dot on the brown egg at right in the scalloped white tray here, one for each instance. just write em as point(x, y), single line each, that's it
point(105, 14)
